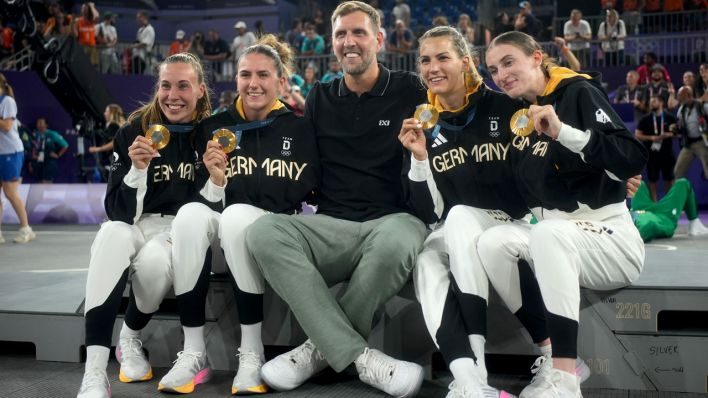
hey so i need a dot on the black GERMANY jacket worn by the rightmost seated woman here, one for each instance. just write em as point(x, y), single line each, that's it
point(582, 174)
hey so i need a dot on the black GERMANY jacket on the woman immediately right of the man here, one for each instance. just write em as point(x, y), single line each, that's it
point(470, 167)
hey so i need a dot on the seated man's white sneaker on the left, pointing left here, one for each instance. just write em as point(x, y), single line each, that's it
point(288, 371)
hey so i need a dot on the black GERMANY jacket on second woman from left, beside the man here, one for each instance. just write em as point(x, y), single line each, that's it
point(274, 167)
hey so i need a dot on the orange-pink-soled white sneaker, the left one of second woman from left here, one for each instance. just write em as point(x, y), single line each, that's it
point(189, 370)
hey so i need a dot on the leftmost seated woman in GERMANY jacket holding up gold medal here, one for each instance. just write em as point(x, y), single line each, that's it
point(141, 203)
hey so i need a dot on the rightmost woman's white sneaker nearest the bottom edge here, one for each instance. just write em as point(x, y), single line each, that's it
point(544, 382)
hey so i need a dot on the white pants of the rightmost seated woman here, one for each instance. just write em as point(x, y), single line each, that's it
point(565, 255)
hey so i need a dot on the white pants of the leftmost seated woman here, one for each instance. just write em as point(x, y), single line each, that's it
point(145, 248)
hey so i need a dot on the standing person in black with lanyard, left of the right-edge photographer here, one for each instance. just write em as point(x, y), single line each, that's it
point(657, 130)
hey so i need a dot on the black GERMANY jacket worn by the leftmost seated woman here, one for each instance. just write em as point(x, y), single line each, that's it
point(161, 188)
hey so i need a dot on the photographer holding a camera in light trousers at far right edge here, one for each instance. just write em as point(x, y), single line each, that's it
point(693, 127)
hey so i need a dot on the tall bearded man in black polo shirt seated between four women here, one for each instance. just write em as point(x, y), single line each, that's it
point(363, 231)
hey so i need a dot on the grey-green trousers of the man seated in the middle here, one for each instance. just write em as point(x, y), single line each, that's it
point(301, 256)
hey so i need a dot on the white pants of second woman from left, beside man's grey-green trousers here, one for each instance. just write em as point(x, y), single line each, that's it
point(197, 227)
